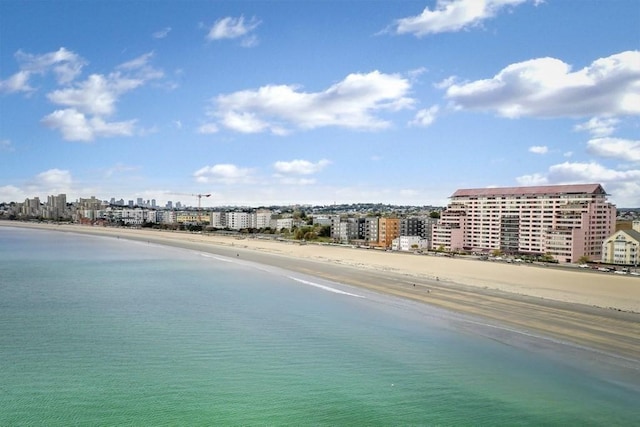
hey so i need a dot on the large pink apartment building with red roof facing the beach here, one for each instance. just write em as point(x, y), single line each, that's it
point(564, 221)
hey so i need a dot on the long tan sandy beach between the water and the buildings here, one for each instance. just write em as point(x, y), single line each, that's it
point(595, 309)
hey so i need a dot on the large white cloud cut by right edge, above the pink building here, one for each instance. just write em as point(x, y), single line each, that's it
point(546, 87)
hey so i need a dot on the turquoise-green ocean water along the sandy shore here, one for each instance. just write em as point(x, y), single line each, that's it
point(104, 331)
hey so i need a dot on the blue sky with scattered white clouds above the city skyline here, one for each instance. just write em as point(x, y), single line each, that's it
point(317, 102)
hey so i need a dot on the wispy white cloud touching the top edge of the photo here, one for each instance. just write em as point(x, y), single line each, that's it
point(450, 16)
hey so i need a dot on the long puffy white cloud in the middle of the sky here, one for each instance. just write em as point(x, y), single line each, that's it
point(351, 103)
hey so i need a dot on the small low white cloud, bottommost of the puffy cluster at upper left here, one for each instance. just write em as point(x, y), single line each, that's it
point(75, 126)
